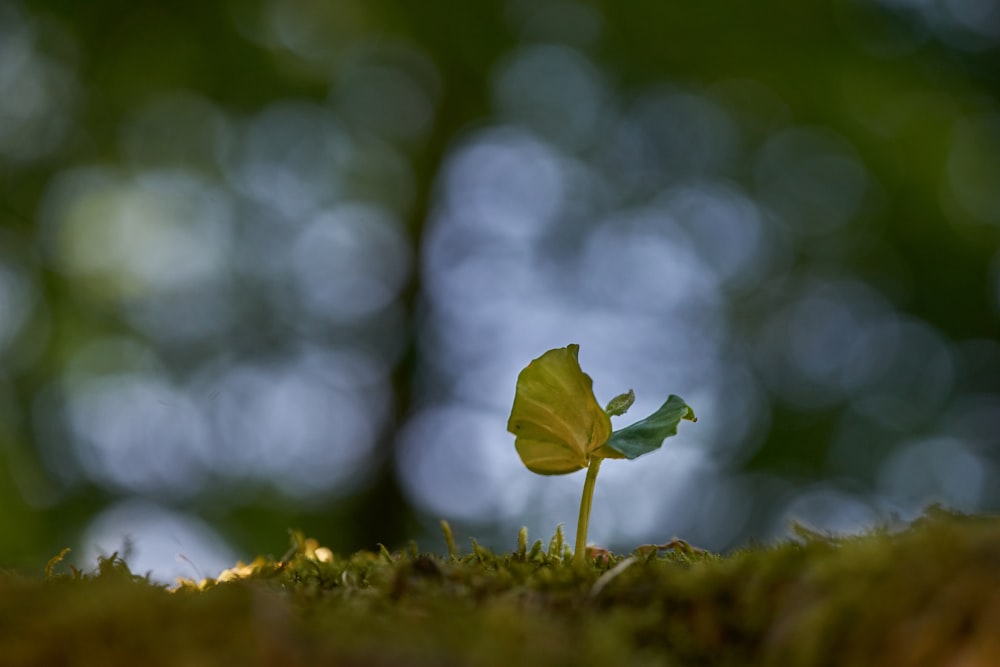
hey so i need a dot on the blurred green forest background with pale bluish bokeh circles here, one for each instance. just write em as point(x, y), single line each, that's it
point(272, 264)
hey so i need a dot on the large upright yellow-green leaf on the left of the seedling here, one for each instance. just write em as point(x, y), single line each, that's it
point(556, 421)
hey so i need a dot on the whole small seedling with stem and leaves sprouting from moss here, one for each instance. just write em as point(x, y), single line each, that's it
point(560, 428)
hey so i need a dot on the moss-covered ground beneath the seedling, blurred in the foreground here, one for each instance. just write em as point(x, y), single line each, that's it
point(926, 595)
